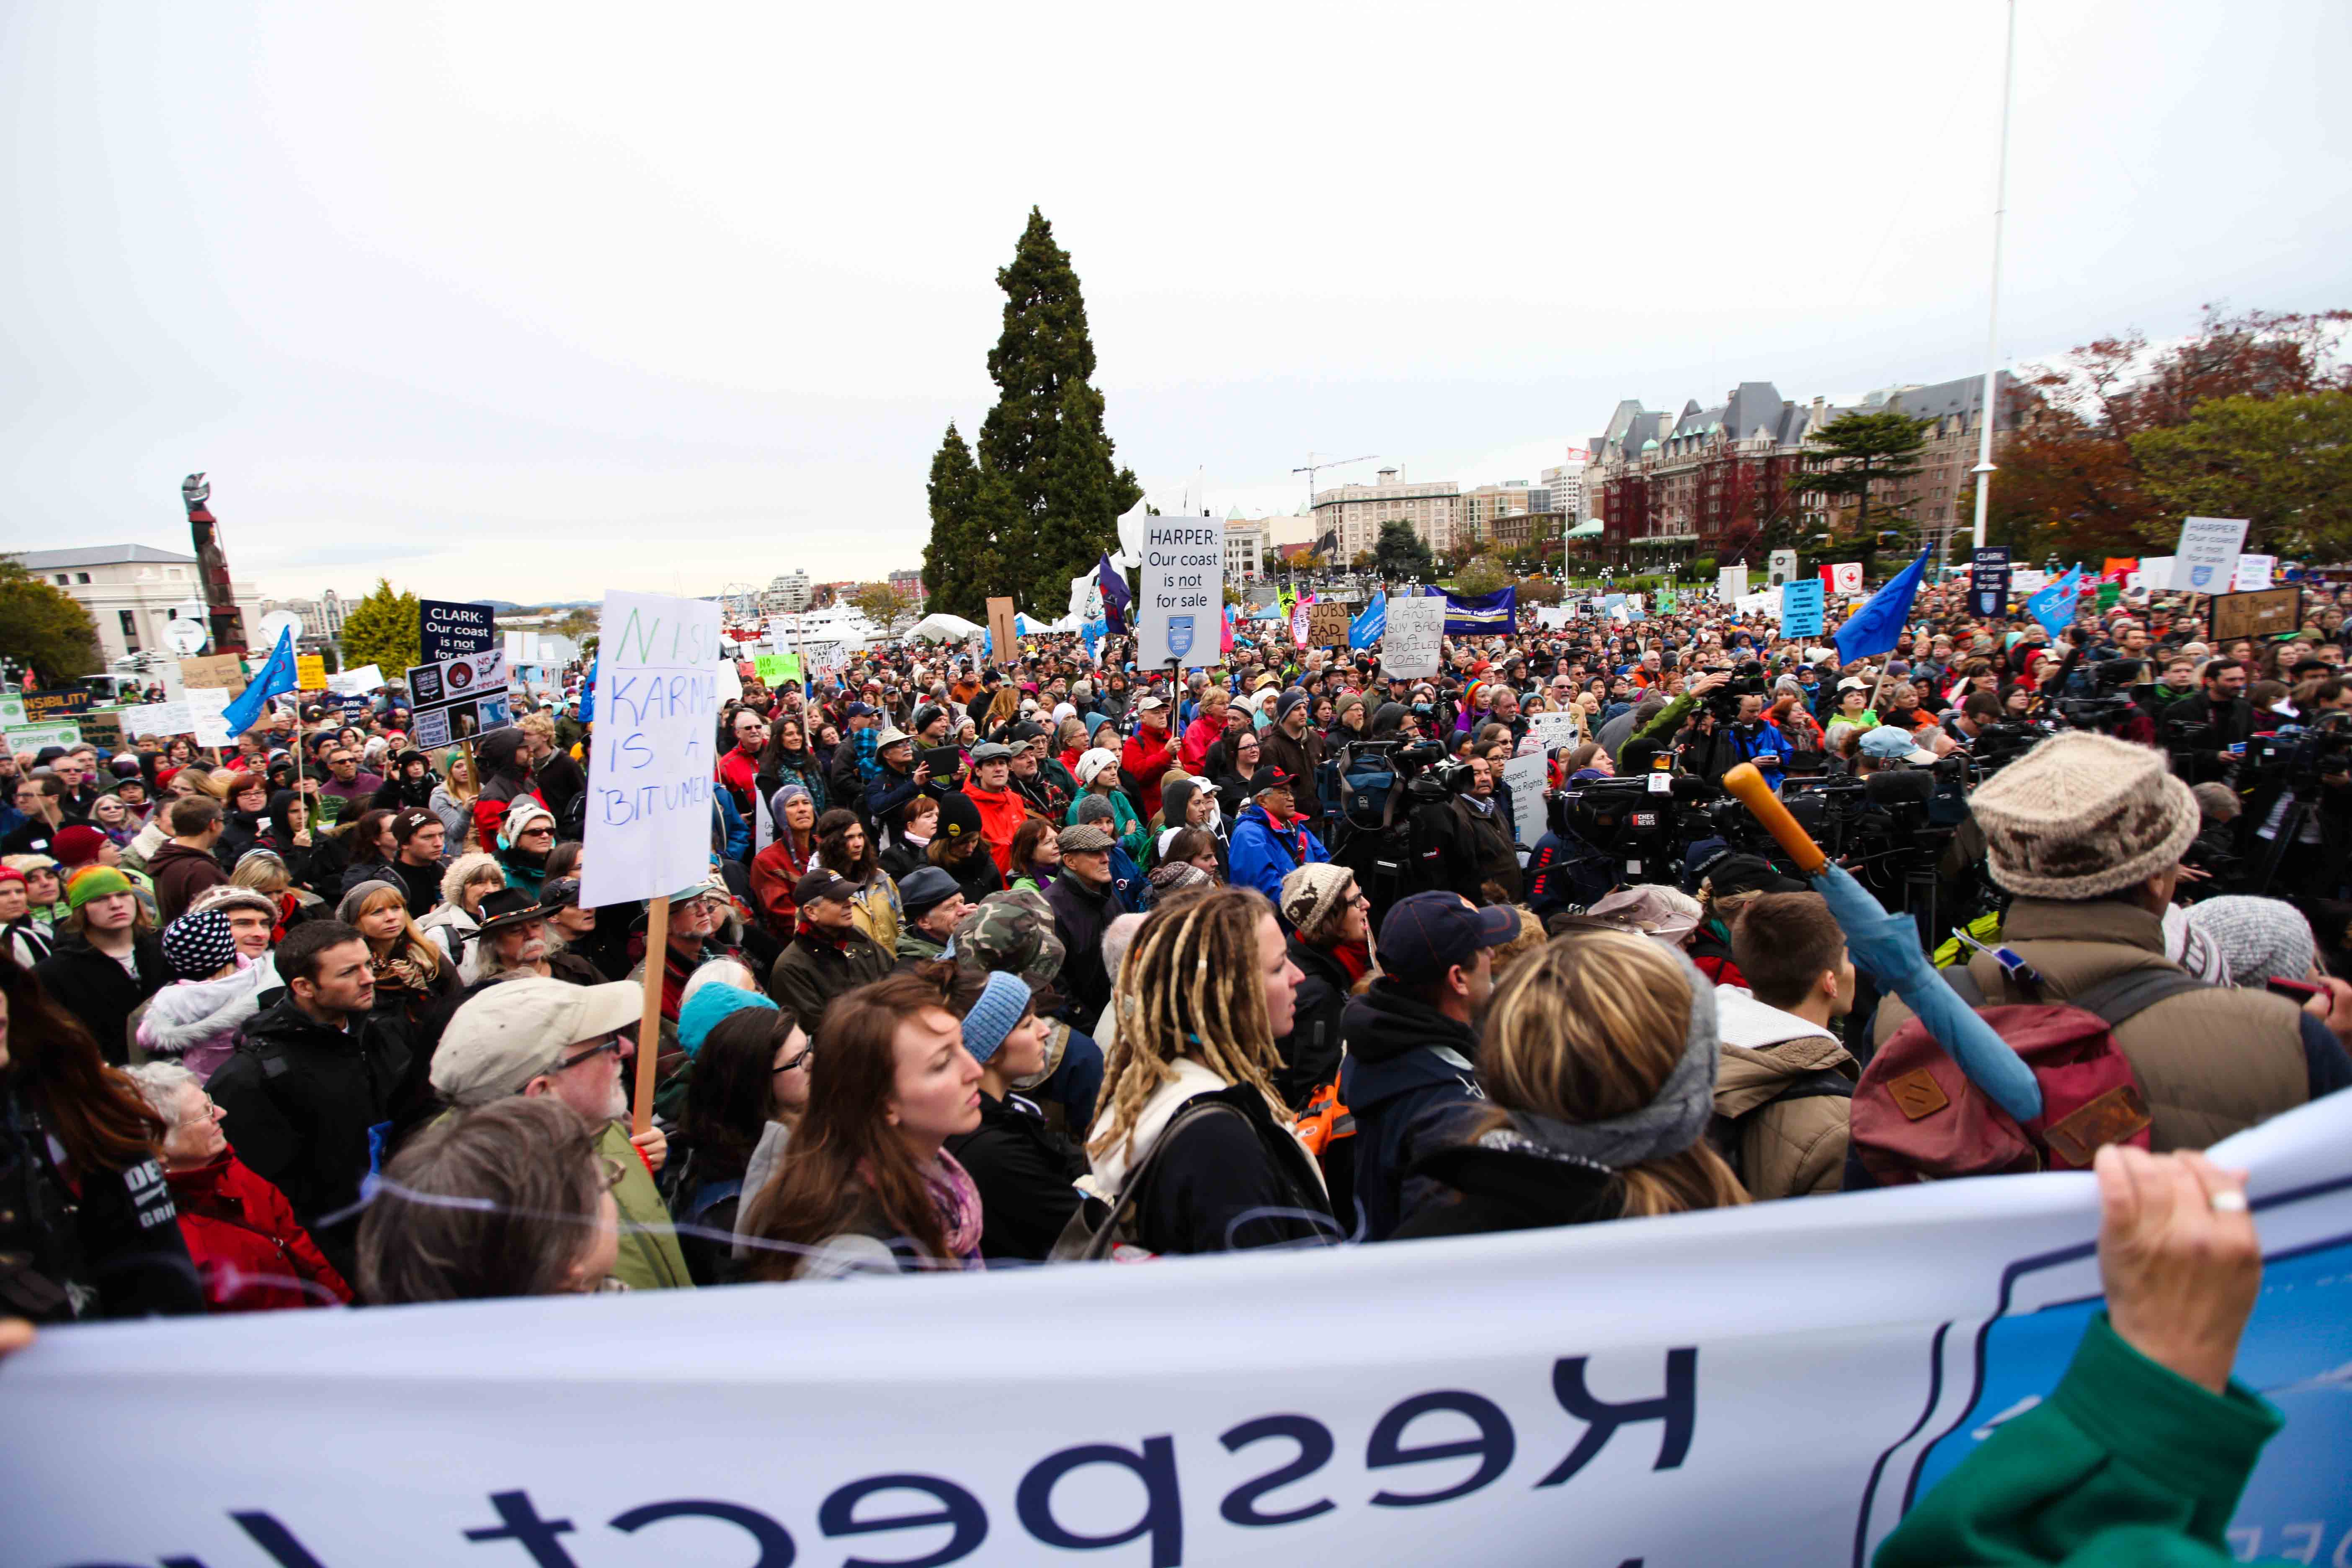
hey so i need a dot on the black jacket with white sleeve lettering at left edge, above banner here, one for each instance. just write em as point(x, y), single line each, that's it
point(107, 1249)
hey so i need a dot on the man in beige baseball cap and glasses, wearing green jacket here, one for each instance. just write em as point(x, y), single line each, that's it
point(570, 1043)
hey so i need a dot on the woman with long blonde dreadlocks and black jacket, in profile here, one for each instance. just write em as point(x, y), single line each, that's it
point(1194, 1146)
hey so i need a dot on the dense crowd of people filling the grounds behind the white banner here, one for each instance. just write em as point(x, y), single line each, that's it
point(1057, 960)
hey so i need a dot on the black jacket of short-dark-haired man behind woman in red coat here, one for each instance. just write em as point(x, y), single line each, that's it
point(302, 1099)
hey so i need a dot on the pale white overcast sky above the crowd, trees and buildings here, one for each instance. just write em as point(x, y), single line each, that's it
point(528, 302)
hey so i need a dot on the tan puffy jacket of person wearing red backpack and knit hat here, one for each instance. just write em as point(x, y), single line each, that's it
point(2210, 1061)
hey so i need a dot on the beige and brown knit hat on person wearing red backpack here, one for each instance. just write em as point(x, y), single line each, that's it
point(2083, 817)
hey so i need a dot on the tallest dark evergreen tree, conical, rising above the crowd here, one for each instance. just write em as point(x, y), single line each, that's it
point(1041, 356)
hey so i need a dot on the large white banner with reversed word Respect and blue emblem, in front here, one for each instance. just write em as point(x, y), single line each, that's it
point(1753, 1386)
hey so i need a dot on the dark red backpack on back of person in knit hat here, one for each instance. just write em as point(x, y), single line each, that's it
point(1918, 1115)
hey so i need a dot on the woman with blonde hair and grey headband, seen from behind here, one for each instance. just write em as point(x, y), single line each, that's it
point(1598, 1061)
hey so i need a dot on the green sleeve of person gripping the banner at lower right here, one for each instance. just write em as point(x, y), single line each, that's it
point(2125, 1463)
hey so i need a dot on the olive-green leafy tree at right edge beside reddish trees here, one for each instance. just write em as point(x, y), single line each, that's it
point(2285, 464)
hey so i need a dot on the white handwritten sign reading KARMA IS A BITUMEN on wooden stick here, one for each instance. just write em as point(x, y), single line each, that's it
point(650, 772)
